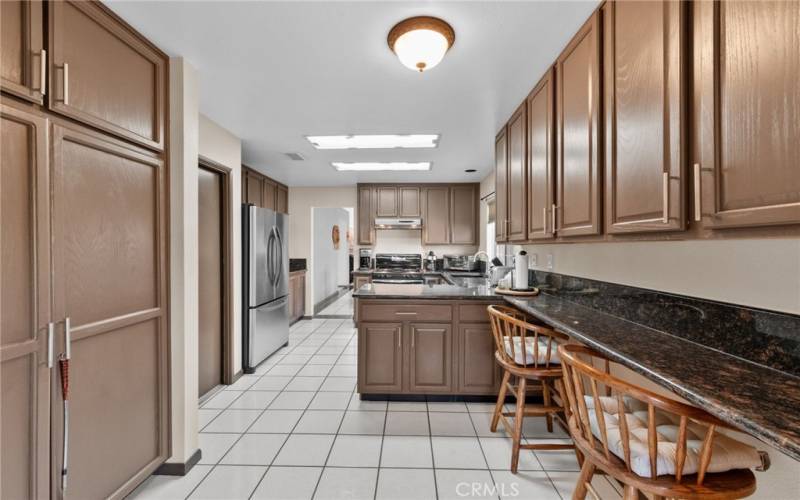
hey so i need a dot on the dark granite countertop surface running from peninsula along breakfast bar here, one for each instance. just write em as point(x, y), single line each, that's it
point(757, 399)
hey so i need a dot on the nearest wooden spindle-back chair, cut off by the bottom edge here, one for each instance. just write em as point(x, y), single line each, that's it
point(664, 424)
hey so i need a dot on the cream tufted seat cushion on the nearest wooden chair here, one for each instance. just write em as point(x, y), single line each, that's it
point(727, 453)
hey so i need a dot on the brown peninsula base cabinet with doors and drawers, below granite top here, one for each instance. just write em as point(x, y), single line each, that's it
point(425, 347)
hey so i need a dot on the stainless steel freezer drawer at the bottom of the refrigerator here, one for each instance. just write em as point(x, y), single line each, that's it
point(268, 330)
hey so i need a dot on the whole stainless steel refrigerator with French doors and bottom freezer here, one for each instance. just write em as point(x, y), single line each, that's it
point(265, 277)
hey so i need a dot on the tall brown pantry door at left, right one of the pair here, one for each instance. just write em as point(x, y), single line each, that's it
point(109, 253)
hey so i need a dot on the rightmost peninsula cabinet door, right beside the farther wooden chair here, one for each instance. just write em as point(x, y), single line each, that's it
point(477, 369)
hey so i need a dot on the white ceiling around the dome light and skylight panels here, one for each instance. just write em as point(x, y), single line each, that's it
point(274, 72)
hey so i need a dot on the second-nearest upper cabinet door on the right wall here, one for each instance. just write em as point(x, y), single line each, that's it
point(645, 118)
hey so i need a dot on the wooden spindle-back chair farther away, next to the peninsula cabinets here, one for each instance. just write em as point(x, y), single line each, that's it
point(526, 351)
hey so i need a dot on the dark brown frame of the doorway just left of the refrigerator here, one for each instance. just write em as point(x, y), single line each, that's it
point(228, 377)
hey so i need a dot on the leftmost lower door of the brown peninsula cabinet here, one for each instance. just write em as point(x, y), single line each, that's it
point(380, 357)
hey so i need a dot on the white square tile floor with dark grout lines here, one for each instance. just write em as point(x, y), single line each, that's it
point(298, 430)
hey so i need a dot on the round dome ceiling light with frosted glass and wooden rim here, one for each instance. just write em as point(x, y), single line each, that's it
point(421, 42)
